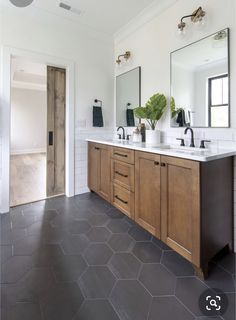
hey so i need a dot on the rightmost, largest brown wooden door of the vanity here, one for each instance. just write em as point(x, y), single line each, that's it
point(180, 203)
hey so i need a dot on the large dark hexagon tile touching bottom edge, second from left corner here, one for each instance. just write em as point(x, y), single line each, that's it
point(62, 302)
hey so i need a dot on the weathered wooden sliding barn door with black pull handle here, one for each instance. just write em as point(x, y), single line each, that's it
point(56, 83)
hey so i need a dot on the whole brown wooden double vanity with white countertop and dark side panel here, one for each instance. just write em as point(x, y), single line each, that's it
point(182, 197)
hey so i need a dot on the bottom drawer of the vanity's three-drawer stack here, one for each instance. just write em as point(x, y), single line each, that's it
point(123, 199)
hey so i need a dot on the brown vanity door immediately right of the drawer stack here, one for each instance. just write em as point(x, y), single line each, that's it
point(147, 191)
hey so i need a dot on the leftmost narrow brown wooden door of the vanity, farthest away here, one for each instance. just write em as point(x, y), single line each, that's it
point(93, 166)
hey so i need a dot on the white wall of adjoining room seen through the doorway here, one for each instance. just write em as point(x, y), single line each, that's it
point(28, 121)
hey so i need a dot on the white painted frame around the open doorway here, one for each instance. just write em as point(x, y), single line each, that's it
point(5, 117)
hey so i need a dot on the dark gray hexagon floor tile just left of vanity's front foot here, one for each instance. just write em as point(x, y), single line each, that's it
point(177, 264)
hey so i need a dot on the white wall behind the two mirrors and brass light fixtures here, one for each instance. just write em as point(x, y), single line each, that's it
point(150, 46)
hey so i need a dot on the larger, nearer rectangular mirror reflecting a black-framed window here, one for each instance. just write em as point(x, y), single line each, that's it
point(200, 83)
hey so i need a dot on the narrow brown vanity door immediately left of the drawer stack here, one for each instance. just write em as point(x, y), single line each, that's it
point(104, 177)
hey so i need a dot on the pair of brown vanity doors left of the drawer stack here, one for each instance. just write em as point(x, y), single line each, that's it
point(99, 169)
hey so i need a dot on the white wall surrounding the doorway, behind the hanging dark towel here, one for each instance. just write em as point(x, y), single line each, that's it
point(93, 56)
